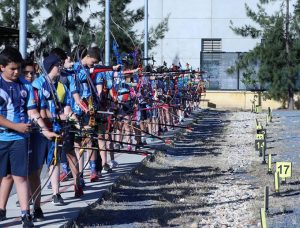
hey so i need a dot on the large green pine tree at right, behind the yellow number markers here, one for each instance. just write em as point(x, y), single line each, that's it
point(278, 53)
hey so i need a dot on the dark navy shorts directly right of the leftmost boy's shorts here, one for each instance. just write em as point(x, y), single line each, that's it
point(39, 146)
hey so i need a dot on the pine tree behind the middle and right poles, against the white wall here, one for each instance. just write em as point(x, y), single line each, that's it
point(122, 25)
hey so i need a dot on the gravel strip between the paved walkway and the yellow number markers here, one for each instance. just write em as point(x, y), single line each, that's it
point(212, 178)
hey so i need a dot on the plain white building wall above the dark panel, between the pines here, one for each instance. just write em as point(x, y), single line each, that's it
point(191, 21)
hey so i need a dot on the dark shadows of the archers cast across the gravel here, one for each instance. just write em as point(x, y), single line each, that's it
point(153, 195)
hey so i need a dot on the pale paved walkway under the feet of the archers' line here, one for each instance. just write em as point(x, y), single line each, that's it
point(59, 216)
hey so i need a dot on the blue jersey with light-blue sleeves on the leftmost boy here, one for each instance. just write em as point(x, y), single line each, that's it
point(16, 98)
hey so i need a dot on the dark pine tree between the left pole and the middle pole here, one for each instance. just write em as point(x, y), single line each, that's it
point(65, 27)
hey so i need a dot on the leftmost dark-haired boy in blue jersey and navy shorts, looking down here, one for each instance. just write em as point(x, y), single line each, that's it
point(17, 104)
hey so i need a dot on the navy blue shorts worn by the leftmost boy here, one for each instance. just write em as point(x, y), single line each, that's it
point(14, 158)
